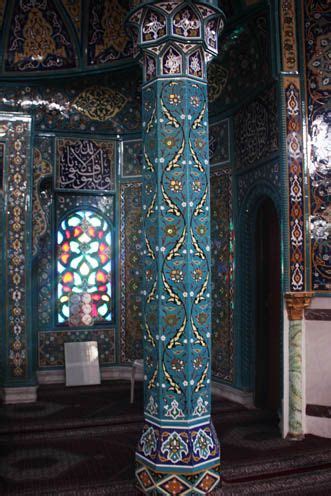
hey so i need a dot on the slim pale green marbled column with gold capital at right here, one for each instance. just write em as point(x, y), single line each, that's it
point(295, 304)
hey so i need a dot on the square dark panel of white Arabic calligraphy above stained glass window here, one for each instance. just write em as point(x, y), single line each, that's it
point(84, 164)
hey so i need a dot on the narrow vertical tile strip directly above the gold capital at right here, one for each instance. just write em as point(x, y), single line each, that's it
point(296, 183)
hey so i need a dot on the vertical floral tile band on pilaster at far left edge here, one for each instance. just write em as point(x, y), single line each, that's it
point(17, 131)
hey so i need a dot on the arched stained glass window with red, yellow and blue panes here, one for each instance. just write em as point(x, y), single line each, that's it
point(84, 268)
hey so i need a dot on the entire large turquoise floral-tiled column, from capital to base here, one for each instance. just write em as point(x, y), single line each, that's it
point(178, 452)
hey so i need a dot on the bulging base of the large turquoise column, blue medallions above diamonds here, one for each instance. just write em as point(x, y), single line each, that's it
point(178, 459)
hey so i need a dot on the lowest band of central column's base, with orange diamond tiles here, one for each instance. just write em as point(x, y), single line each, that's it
point(170, 483)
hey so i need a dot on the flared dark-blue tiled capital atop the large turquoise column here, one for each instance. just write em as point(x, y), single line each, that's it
point(176, 38)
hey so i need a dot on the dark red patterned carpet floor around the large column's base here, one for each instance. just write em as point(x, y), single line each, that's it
point(81, 442)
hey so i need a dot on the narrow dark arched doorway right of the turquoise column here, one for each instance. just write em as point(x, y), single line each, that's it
point(267, 362)
